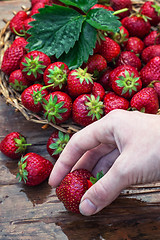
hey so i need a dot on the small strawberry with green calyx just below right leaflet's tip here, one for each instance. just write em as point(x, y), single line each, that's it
point(121, 37)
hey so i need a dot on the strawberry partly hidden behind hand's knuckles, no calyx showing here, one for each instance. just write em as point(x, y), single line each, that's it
point(113, 101)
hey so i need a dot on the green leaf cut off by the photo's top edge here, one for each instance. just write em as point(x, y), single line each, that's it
point(82, 4)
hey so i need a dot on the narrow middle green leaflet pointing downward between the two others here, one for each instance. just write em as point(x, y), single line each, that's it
point(82, 48)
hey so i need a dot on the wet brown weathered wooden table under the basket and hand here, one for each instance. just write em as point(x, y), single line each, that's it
point(35, 212)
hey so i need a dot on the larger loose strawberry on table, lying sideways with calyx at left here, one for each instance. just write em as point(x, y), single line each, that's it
point(33, 169)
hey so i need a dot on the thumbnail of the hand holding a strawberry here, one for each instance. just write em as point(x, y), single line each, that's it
point(87, 207)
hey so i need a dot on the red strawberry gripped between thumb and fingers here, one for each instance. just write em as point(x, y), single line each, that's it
point(72, 188)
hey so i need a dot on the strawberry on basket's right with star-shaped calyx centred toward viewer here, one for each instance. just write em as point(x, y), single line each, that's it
point(126, 83)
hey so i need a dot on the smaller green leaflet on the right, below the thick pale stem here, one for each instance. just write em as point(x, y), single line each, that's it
point(101, 19)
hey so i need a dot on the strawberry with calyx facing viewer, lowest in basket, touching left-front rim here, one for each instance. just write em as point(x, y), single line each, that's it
point(57, 107)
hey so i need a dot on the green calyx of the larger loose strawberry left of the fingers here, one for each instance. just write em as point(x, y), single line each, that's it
point(22, 172)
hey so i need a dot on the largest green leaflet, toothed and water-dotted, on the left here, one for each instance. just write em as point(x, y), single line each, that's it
point(55, 30)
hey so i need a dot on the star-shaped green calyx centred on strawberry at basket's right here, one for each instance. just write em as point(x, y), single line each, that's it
point(128, 83)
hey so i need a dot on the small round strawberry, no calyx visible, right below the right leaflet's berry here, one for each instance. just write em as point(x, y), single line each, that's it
point(135, 45)
